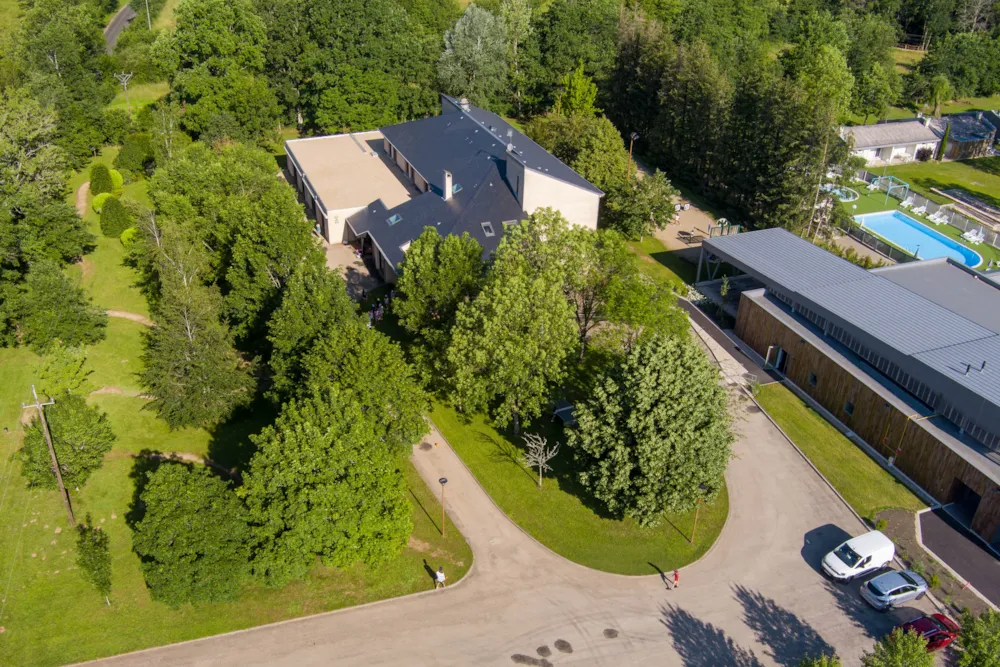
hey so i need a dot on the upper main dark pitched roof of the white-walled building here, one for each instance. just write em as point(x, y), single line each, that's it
point(465, 142)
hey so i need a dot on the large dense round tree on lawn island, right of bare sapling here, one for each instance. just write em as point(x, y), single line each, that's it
point(655, 435)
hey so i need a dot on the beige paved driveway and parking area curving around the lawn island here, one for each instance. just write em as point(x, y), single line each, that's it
point(755, 599)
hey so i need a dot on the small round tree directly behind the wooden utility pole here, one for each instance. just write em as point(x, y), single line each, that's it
point(81, 436)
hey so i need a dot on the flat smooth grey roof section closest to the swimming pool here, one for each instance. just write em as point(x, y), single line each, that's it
point(949, 284)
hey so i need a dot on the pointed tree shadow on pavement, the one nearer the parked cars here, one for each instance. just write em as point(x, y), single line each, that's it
point(787, 637)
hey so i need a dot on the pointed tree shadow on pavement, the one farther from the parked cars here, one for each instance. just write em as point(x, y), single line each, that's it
point(701, 644)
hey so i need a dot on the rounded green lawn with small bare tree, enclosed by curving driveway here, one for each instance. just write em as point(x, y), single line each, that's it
point(558, 517)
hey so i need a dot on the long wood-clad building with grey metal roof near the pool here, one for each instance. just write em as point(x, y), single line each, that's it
point(907, 357)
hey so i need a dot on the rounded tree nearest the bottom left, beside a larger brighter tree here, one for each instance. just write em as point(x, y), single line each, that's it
point(193, 537)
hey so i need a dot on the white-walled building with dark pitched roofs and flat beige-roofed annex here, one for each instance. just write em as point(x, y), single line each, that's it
point(465, 170)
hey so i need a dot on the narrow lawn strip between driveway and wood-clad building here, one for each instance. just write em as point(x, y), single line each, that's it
point(864, 484)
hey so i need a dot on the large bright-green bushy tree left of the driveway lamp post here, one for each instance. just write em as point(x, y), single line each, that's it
point(323, 484)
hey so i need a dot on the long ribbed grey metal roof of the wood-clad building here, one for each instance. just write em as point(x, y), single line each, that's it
point(930, 341)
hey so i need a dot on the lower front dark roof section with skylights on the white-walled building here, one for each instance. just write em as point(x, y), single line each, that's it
point(488, 200)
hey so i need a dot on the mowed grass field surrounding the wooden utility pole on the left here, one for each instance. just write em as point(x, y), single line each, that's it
point(50, 615)
